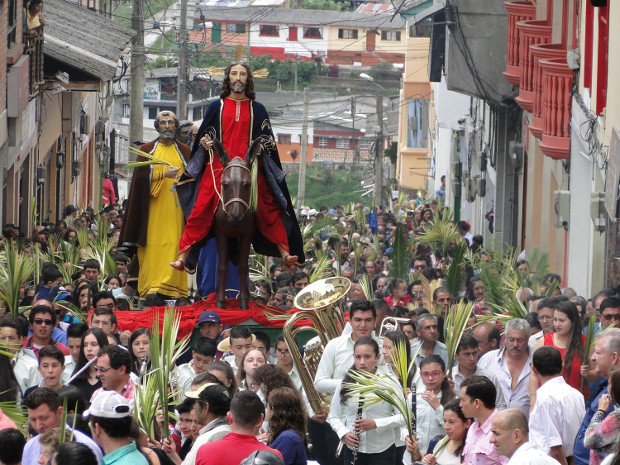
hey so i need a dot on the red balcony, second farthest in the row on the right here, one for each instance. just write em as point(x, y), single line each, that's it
point(534, 32)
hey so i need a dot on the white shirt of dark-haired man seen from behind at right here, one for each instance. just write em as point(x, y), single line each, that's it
point(557, 416)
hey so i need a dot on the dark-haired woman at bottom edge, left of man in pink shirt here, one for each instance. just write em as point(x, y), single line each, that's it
point(446, 450)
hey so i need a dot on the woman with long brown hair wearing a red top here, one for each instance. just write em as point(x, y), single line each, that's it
point(569, 340)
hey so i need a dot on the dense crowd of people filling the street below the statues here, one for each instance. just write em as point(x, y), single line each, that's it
point(521, 390)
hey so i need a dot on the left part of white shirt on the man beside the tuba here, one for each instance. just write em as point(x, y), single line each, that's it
point(336, 360)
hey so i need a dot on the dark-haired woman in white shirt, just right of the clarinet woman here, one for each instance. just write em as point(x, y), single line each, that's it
point(430, 401)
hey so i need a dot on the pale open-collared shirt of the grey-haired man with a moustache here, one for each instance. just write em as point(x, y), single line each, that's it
point(519, 397)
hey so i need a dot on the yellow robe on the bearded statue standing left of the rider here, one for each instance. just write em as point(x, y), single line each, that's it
point(165, 227)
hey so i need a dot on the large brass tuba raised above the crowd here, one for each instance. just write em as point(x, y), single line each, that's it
point(321, 303)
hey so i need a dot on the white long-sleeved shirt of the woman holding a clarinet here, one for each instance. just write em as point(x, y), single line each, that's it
point(387, 418)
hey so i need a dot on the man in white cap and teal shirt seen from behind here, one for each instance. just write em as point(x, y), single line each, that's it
point(109, 417)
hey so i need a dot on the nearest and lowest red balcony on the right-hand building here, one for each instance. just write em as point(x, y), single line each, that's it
point(557, 80)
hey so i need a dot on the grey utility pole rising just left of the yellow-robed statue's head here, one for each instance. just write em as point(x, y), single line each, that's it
point(136, 78)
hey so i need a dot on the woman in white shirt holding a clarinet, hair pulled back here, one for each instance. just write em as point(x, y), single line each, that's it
point(368, 431)
